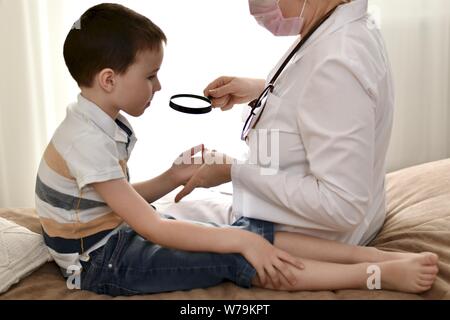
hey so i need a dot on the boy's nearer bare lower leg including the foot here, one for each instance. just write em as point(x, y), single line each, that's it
point(416, 274)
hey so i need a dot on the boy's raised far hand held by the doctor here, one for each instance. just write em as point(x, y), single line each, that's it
point(186, 165)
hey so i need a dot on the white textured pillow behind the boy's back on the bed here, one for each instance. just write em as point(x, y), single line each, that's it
point(21, 252)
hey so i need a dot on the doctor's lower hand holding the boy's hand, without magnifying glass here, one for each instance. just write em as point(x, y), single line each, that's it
point(216, 170)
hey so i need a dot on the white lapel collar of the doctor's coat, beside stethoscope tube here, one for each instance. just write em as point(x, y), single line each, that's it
point(344, 14)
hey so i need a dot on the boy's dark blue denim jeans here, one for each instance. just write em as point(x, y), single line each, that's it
point(129, 265)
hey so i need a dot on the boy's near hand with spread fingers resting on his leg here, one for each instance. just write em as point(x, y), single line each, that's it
point(270, 262)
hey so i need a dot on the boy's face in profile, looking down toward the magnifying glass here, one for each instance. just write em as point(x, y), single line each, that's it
point(136, 87)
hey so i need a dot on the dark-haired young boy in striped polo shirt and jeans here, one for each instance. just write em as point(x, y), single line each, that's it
point(94, 219)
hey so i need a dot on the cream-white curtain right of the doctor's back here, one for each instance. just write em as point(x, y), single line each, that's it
point(417, 34)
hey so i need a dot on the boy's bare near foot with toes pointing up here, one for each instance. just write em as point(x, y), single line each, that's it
point(414, 274)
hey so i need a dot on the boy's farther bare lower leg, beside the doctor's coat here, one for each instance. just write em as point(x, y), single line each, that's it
point(332, 251)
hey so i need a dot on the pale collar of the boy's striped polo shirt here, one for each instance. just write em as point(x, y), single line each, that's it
point(94, 113)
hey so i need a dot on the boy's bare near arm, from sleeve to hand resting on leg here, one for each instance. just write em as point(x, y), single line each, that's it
point(125, 201)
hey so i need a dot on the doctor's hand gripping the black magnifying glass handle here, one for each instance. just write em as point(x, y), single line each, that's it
point(225, 92)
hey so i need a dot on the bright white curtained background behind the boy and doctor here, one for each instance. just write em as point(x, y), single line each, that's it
point(207, 38)
